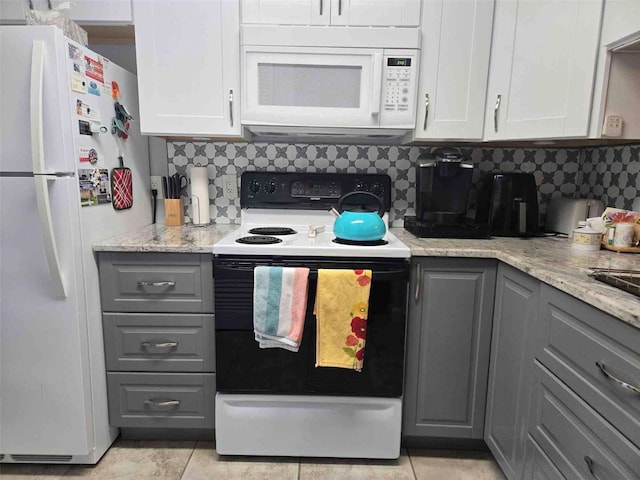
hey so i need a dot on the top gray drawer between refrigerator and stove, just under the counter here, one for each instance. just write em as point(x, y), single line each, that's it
point(162, 282)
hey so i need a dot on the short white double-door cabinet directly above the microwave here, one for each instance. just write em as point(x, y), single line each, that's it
point(404, 13)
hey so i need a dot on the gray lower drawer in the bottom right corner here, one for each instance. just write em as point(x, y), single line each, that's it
point(572, 434)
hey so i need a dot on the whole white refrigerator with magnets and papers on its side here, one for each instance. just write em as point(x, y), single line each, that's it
point(57, 152)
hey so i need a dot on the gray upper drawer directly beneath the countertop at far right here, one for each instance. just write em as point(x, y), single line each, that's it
point(576, 341)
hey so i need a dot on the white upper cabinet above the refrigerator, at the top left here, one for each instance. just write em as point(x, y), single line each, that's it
point(86, 12)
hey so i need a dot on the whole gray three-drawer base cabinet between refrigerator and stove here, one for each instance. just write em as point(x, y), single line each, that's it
point(159, 331)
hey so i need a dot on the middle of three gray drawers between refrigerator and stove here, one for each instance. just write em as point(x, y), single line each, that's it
point(147, 342)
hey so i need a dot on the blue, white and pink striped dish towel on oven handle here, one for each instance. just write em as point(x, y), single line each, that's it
point(279, 306)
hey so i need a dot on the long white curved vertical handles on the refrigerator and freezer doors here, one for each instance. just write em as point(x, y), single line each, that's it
point(42, 181)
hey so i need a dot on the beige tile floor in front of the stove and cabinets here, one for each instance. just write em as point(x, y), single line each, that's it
point(190, 460)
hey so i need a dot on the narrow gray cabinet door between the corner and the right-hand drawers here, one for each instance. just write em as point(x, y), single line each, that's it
point(515, 315)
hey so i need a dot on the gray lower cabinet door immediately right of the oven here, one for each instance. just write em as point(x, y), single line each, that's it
point(449, 334)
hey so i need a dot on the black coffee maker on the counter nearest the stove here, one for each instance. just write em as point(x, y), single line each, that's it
point(443, 180)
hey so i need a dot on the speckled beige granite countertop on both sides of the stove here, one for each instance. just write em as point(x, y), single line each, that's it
point(551, 260)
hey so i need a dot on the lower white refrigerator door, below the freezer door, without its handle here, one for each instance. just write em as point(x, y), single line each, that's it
point(43, 348)
